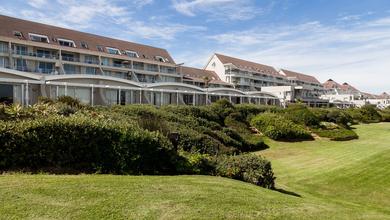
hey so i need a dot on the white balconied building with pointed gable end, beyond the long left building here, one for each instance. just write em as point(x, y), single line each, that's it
point(287, 85)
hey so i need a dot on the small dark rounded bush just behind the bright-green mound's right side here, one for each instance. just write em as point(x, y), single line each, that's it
point(300, 114)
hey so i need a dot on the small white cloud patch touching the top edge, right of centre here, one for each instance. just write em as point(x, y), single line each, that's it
point(218, 9)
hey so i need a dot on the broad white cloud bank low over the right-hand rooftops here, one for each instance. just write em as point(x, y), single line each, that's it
point(357, 53)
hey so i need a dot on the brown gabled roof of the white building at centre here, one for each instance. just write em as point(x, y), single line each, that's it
point(248, 65)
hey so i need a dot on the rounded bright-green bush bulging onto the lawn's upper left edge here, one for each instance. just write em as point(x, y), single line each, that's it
point(277, 127)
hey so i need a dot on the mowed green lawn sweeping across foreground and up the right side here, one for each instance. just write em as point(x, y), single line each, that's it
point(317, 179)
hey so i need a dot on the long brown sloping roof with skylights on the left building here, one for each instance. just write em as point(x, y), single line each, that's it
point(9, 25)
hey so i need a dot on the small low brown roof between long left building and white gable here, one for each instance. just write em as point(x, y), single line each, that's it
point(200, 75)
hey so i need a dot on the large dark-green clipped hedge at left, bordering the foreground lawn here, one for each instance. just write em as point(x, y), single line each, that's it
point(84, 144)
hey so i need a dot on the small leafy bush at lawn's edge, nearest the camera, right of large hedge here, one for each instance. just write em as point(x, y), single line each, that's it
point(247, 167)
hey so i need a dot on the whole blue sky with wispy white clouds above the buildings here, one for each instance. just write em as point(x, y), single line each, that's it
point(346, 40)
